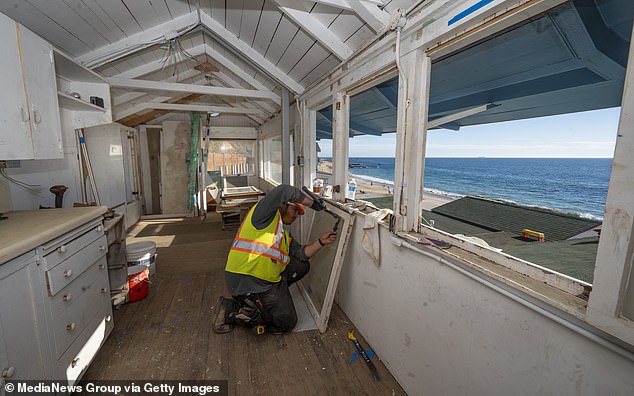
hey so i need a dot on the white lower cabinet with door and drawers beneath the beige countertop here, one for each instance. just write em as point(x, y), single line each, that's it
point(55, 306)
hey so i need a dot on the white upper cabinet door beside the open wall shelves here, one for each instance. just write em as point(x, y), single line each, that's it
point(41, 89)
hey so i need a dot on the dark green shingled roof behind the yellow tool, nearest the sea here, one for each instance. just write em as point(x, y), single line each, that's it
point(503, 216)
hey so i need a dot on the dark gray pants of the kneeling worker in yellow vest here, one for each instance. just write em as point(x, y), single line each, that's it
point(277, 300)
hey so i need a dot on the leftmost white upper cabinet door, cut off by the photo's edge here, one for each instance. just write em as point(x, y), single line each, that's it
point(15, 130)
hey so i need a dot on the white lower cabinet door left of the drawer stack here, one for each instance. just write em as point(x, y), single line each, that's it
point(22, 319)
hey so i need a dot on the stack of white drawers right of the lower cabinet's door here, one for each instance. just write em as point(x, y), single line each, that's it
point(77, 302)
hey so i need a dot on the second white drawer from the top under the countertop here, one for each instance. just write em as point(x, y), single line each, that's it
point(72, 267)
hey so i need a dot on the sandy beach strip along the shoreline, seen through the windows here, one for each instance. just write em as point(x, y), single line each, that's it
point(370, 187)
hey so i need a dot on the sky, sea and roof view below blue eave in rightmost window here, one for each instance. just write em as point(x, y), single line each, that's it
point(533, 189)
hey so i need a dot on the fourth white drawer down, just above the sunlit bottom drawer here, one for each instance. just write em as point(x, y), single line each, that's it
point(72, 321)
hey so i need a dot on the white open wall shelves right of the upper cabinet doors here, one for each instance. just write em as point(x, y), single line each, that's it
point(76, 86)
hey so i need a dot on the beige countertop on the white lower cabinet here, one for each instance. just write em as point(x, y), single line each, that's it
point(25, 230)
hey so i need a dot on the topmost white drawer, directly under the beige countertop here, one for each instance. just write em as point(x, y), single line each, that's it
point(59, 250)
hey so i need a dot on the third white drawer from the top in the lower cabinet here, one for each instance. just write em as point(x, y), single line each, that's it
point(85, 283)
